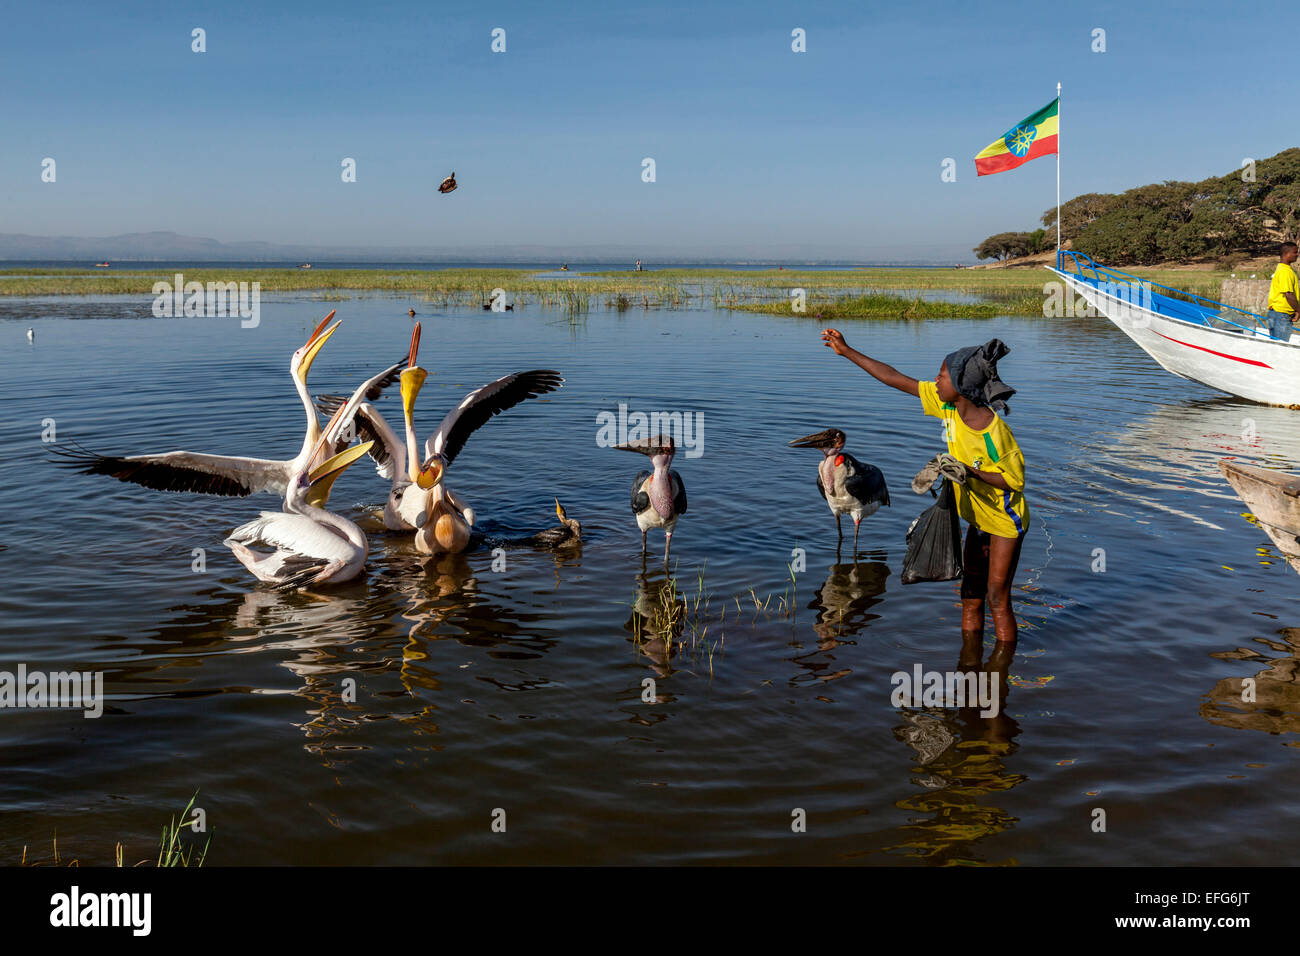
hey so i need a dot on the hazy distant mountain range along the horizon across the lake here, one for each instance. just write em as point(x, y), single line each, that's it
point(163, 246)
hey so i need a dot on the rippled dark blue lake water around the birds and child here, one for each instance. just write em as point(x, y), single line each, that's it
point(479, 690)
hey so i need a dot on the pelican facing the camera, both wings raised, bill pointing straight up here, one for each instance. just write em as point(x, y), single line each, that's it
point(419, 500)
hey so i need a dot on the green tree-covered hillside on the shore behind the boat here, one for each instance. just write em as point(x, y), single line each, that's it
point(1246, 213)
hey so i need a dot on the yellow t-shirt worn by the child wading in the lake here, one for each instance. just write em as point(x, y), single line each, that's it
point(1006, 514)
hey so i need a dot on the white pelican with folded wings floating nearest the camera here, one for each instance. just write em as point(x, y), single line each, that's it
point(313, 546)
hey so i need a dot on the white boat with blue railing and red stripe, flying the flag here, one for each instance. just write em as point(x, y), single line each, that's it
point(1216, 345)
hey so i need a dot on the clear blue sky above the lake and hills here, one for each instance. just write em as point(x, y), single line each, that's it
point(757, 148)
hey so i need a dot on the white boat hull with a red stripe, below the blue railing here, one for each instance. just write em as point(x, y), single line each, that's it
point(1253, 366)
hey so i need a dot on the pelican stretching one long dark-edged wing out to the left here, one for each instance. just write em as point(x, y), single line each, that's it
point(232, 477)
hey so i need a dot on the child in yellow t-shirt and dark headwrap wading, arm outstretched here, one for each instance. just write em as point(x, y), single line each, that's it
point(967, 395)
